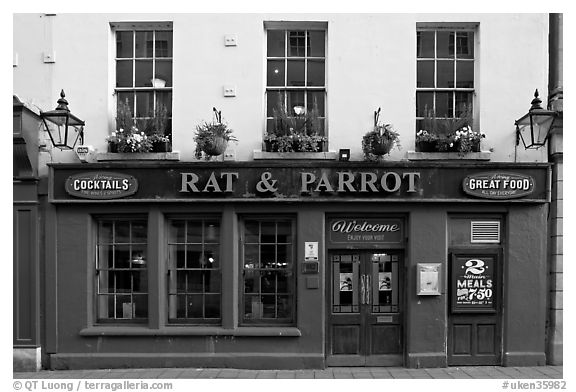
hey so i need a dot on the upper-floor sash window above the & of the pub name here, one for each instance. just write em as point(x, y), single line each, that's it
point(296, 78)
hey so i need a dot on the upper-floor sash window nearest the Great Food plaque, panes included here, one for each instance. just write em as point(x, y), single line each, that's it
point(445, 80)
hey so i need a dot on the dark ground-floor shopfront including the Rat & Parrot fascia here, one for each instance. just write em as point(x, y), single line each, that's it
point(359, 299)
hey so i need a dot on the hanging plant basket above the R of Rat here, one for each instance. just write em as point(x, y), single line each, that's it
point(212, 138)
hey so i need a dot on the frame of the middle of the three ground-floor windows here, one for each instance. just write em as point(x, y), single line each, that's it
point(188, 219)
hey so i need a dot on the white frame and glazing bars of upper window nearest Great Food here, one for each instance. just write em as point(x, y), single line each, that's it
point(452, 28)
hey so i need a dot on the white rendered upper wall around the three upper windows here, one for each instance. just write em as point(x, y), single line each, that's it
point(370, 63)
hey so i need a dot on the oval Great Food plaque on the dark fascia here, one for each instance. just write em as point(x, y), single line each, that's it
point(498, 185)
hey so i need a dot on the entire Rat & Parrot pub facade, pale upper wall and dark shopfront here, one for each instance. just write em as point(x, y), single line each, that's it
point(282, 259)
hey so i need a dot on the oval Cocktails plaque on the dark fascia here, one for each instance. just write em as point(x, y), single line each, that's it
point(97, 185)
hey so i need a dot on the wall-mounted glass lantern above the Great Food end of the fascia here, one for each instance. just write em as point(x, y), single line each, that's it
point(534, 127)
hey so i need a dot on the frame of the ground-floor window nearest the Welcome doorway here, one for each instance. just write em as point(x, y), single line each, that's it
point(293, 293)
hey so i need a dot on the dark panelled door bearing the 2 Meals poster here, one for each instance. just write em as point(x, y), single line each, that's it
point(474, 327)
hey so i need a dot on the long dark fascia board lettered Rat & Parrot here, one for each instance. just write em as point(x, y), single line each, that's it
point(306, 182)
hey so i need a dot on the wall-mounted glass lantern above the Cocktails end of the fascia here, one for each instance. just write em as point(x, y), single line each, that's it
point(64, 128)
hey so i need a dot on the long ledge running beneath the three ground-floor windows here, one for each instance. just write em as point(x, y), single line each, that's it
point(122, 330)
